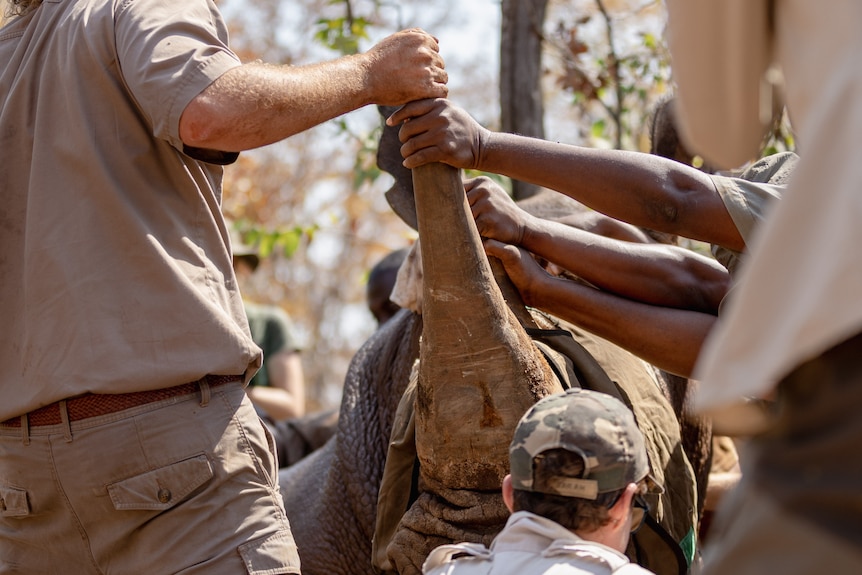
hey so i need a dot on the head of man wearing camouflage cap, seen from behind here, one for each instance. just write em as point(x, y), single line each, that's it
point(578, 458)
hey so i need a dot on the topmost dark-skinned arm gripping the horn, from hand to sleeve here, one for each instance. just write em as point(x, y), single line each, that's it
point(637, 188)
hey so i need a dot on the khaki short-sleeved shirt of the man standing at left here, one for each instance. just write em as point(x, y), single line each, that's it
point(114, 257)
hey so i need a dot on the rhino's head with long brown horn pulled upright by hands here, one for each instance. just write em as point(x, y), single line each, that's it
point(478, 373)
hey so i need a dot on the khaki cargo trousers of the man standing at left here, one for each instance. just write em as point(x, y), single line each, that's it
point(183, 485)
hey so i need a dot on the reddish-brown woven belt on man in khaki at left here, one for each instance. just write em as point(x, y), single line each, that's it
point(95, 404)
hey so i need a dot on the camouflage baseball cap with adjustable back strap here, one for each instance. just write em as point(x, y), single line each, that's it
point(594, 425)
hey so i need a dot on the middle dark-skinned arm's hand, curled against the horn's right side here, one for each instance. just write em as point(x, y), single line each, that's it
point(497, 215)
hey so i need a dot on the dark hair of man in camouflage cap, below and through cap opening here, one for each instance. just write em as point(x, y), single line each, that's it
point(573, 513)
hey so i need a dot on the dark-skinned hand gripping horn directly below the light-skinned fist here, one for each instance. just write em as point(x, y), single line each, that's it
point(438, 131)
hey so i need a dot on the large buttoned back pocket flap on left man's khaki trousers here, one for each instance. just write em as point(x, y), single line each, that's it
point(161, 488)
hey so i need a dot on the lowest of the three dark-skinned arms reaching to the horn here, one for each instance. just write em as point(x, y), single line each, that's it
point(668, 338)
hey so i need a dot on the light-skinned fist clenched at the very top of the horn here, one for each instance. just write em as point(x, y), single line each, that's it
point(405, 66)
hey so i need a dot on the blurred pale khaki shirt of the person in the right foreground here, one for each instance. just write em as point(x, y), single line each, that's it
point(801, 290)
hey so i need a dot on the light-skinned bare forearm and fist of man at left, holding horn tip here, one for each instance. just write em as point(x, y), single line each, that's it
point(257, 104)
